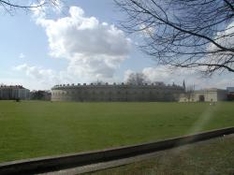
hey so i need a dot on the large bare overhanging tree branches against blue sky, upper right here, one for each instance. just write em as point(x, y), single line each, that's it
point(184, 33)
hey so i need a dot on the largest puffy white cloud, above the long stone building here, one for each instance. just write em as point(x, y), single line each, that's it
point(94, 50)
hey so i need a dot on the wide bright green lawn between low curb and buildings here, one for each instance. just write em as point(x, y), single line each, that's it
point(34, 129)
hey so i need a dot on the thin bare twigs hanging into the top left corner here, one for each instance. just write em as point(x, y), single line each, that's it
point(12, 5)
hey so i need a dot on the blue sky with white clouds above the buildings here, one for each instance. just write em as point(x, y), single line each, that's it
point(81, 42)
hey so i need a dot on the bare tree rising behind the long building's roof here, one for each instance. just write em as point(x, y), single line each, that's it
point(136, 79)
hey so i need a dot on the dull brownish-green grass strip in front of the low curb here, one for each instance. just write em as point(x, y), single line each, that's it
point(215, 156)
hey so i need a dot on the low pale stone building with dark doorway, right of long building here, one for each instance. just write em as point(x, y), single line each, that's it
point(205, 95)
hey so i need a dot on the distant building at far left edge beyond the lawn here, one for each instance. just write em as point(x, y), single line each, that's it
point(14, 92)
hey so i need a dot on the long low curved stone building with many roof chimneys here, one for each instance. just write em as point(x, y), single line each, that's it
point(116, 92)
